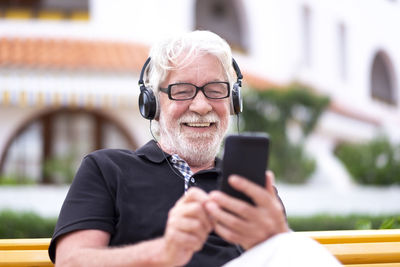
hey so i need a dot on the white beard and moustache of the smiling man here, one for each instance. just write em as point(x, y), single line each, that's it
point(196, 149)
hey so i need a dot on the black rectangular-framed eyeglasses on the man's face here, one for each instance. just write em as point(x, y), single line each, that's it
point(187, 91)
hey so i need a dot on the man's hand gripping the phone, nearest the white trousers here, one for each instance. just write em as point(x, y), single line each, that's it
point(241, 223)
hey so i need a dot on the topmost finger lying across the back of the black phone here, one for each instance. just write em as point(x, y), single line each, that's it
point(252, 190)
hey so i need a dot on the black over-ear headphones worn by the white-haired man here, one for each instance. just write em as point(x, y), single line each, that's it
point(148, 104)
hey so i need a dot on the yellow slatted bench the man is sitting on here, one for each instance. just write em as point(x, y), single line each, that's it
point(373, 248)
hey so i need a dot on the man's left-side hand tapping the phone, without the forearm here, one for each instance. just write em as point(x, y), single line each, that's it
point(187, 227)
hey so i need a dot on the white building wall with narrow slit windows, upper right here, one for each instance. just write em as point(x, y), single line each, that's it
point(276, 43)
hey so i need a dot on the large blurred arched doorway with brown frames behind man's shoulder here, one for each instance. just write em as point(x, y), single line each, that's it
point(50, 147)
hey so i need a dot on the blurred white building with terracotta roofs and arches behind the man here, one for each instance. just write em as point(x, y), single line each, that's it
point(69, 69)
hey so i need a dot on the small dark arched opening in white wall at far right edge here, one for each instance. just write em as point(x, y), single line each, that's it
point(383, 83)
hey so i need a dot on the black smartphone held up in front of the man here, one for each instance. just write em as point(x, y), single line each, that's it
point(246, 155)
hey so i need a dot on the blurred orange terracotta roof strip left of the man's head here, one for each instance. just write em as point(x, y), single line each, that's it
point(71, 54)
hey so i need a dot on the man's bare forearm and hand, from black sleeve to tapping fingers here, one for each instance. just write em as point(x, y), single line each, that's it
point(187, 229)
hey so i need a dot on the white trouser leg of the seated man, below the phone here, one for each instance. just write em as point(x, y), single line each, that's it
point(287, 249)
